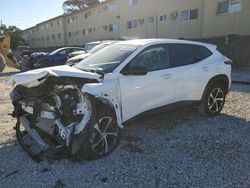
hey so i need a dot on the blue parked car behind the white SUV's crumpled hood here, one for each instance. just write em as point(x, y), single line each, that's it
point(57, 57)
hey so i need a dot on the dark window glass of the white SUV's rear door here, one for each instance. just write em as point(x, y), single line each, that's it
point(181, 55)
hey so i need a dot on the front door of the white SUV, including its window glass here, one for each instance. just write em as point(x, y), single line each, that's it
point(140, 93)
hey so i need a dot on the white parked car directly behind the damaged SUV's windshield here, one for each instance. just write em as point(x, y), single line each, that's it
point(77, 59)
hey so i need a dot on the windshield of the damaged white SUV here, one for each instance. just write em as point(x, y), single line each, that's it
point(107, 59)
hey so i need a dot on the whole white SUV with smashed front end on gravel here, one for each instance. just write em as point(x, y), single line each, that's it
point(81, 109)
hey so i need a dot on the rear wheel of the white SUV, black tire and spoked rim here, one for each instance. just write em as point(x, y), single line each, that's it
point(213, 100)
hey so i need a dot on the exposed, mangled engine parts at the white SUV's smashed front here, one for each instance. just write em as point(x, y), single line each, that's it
point(61, 113)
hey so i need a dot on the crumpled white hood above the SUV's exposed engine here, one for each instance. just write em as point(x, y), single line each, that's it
point(59, 71)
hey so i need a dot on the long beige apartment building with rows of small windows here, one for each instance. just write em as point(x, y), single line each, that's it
point(191, 19)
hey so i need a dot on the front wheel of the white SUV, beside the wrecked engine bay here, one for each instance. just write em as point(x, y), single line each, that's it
point(103, 135)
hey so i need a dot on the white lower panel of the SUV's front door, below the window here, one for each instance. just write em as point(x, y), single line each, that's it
point(157, 85)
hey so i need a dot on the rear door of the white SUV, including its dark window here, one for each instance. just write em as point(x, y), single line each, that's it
point(192, 71)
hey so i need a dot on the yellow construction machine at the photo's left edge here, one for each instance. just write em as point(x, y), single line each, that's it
point(6, 58)
